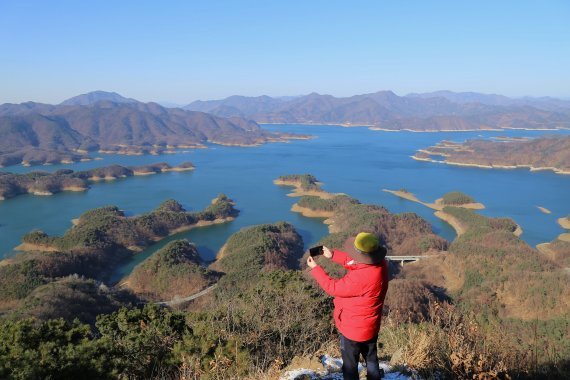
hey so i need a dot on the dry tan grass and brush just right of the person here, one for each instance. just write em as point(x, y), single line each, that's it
point(452, 344)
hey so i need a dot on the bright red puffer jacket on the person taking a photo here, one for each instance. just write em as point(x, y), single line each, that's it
point(359, 296)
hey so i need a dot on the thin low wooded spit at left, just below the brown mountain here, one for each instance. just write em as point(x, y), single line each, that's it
point(44, 183)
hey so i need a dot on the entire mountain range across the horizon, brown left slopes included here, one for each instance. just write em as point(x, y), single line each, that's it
point(34, 133)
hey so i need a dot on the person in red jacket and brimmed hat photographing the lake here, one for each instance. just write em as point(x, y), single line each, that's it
point(359, 298)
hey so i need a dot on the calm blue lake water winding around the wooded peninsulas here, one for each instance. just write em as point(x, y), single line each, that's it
point(355, 161)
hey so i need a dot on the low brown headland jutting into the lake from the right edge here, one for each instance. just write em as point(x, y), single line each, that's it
point(545, 153)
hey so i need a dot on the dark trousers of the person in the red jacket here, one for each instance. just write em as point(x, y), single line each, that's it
point(351, 351)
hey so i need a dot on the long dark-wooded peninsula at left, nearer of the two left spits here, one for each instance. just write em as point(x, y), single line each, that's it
point(101, 239)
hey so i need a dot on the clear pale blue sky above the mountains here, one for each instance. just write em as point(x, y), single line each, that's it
point(181, 51)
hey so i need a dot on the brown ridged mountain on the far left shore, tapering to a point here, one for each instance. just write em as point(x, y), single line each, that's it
point(33, 133)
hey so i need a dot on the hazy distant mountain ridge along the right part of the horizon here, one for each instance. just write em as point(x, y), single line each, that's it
point(442, 110)
